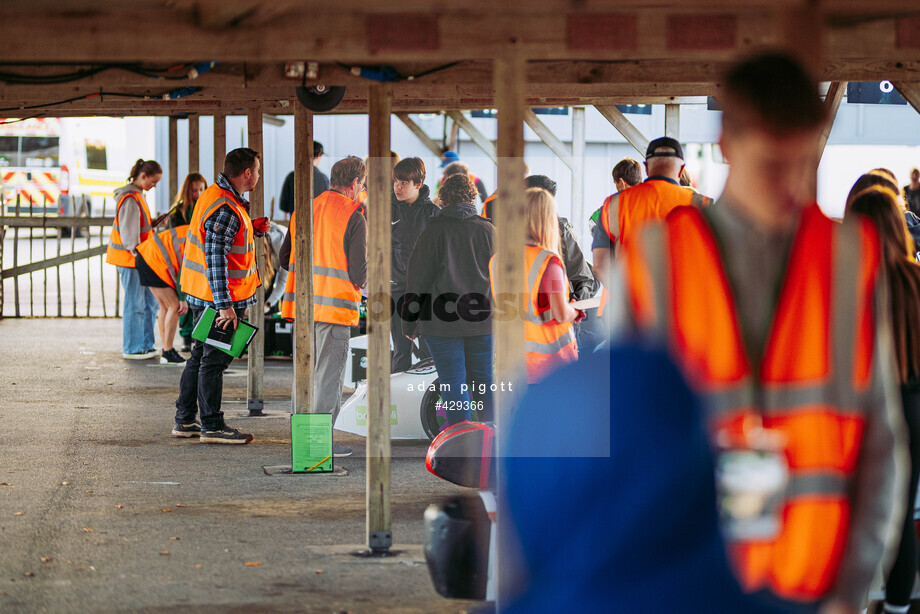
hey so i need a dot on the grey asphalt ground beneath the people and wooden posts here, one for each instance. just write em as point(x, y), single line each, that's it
point(102, 510)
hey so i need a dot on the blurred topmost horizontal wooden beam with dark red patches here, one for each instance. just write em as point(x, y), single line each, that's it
point(359, 32)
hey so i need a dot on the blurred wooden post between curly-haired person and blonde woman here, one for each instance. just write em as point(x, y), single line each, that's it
point(508, 268)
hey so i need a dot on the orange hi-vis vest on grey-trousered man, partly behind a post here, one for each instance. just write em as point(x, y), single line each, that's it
point(336, 300)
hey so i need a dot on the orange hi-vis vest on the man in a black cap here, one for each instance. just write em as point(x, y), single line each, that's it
point(652, 199)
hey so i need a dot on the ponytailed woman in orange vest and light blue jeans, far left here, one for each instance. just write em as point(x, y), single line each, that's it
point(132, 226)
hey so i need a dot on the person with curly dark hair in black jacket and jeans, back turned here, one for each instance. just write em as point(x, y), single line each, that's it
point(448, 299)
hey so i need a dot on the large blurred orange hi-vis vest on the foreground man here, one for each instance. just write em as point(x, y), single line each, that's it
point(811, 383)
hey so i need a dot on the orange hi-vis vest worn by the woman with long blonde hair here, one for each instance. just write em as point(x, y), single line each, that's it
point(549, 344)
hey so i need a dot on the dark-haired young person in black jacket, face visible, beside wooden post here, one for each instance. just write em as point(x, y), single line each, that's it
point(411, 211)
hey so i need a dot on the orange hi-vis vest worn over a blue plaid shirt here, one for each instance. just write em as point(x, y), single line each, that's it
point(242, 273)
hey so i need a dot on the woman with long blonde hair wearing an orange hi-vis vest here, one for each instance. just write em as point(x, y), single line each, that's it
point(548, 329)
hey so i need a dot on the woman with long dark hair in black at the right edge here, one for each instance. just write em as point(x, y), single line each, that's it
point(881, 204)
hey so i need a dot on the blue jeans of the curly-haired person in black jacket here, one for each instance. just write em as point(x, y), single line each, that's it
point(462, 362)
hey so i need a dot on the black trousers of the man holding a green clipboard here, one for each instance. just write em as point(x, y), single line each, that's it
point(202, 383)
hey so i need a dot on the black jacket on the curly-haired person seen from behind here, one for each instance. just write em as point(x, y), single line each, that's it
point(450, 261)
